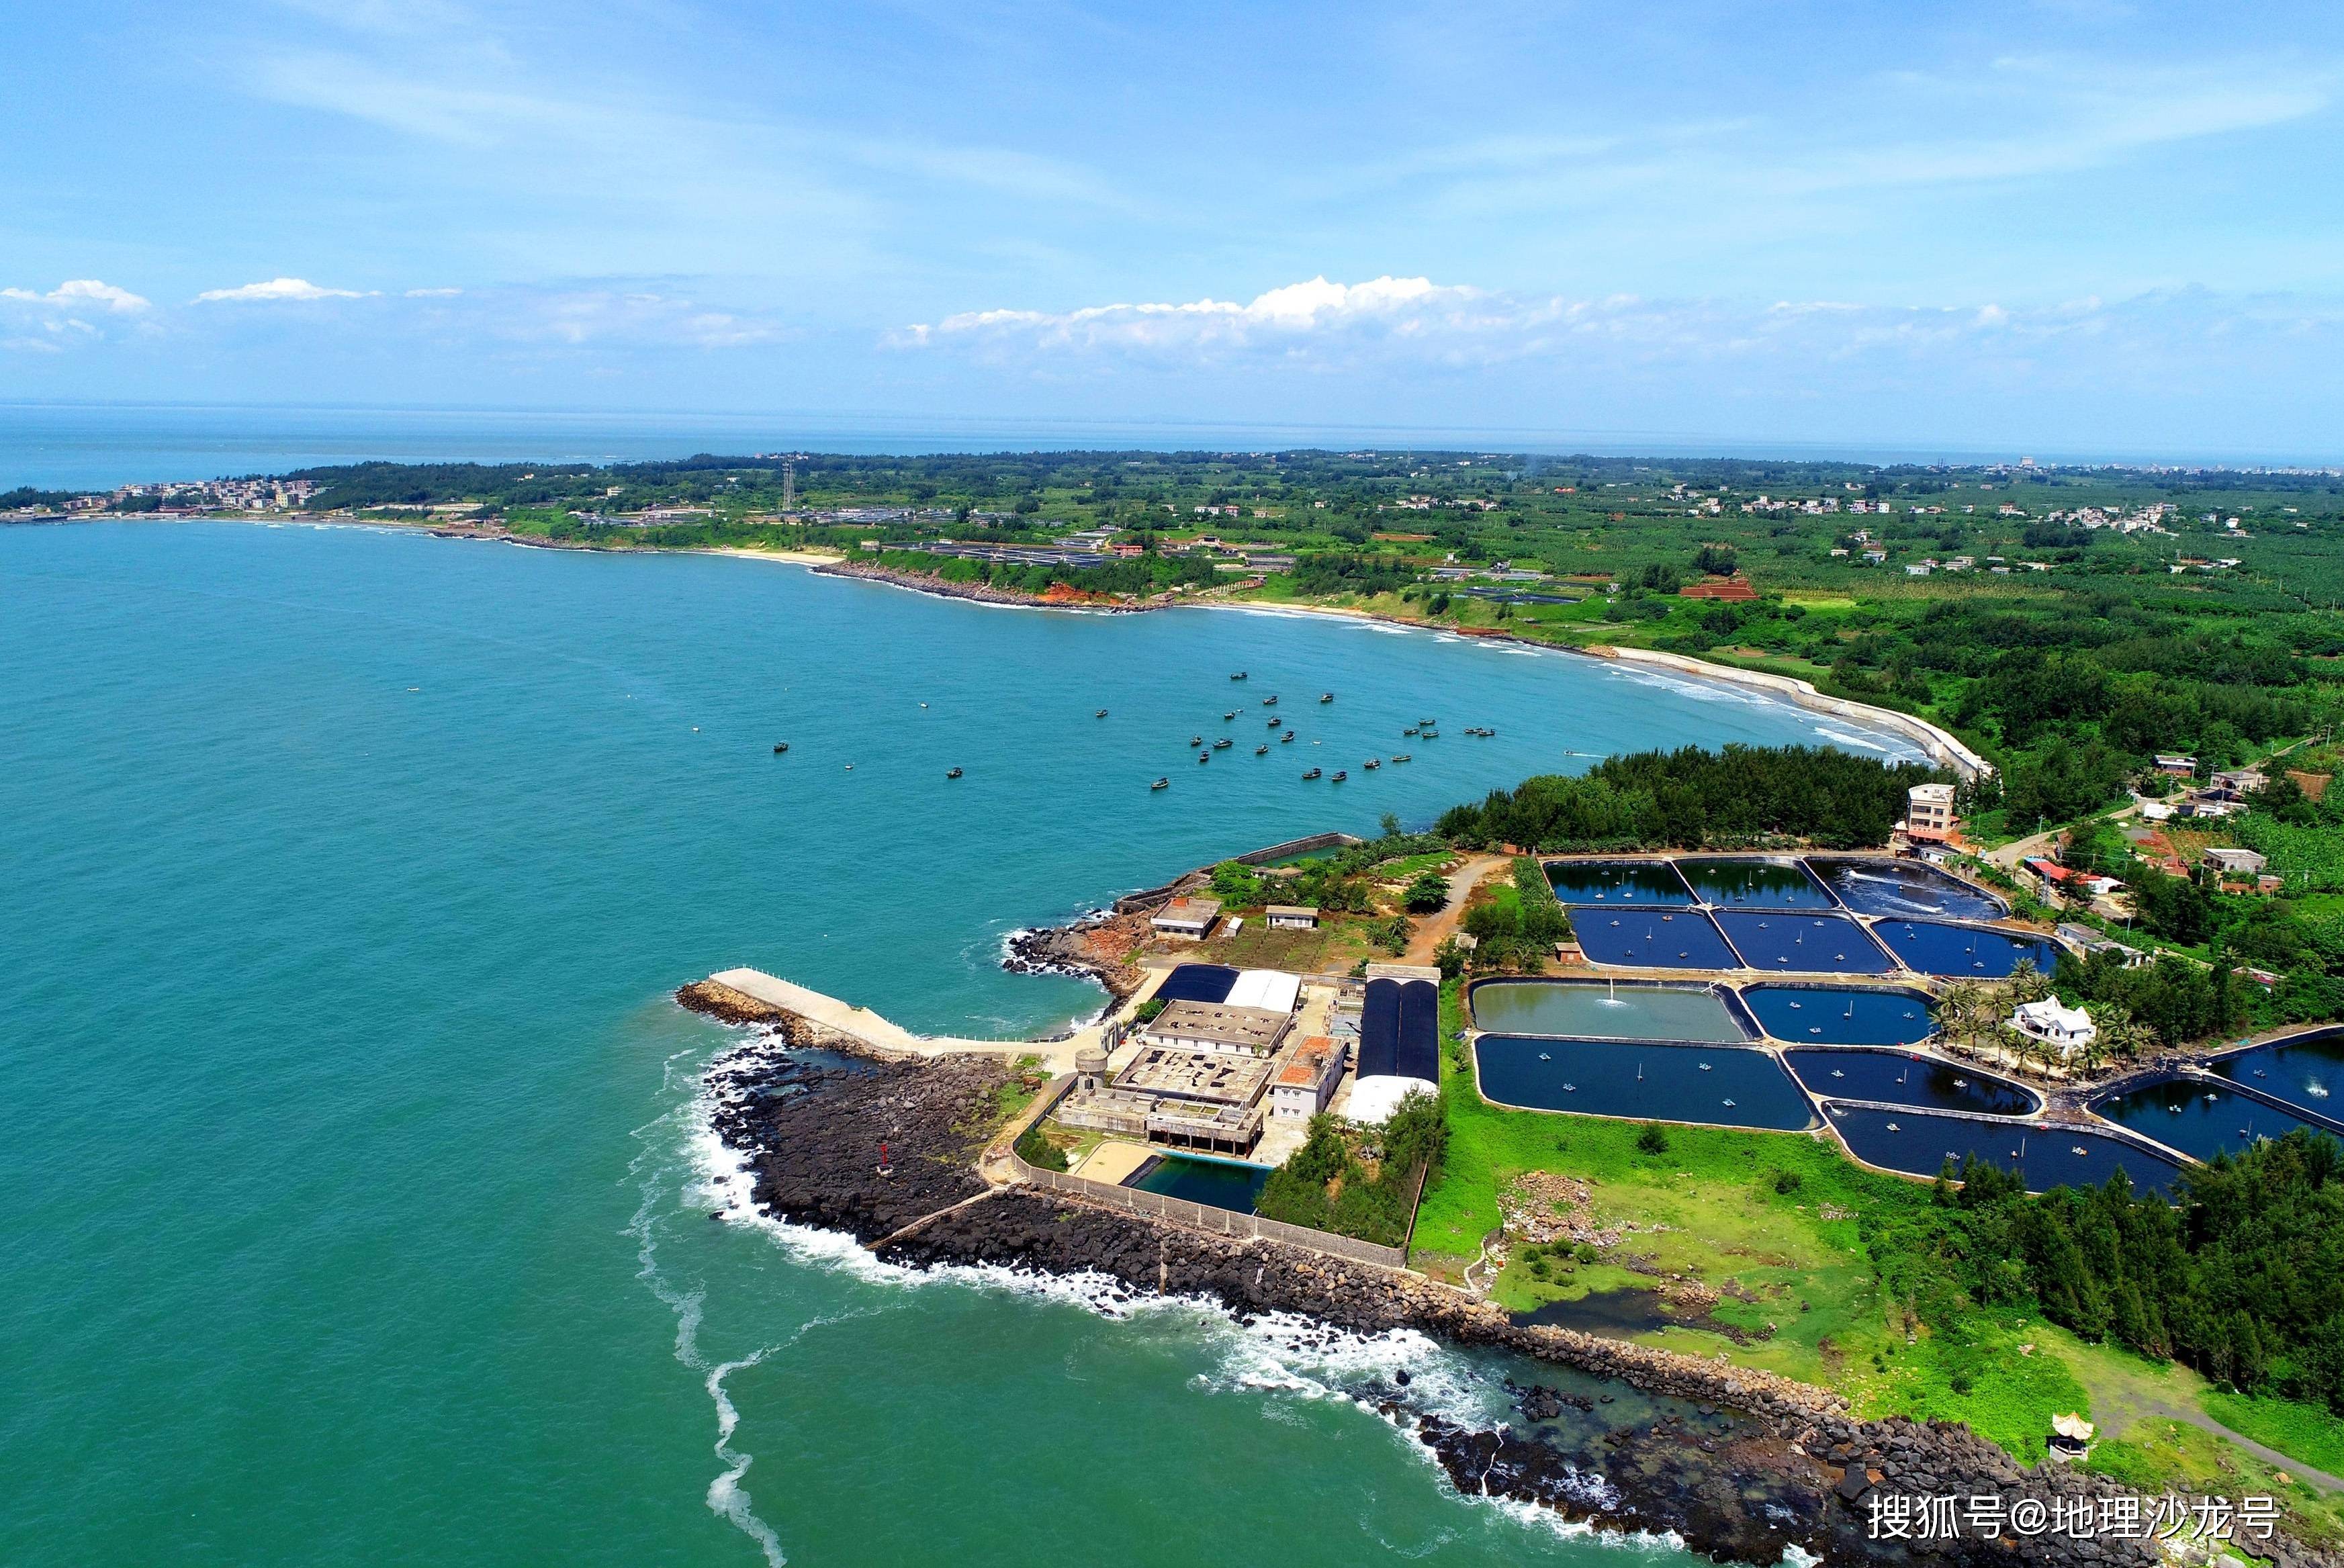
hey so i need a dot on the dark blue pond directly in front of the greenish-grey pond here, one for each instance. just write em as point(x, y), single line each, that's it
point(1722, 1086)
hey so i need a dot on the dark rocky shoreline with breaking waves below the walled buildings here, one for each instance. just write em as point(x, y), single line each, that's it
point(1743, 1468)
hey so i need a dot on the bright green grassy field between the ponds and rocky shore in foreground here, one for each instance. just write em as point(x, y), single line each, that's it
point(1794, 1276)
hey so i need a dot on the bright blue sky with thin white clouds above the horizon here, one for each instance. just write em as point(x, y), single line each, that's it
point(2069, 229)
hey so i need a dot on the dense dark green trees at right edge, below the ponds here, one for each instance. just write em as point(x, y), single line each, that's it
point(2237, 1276)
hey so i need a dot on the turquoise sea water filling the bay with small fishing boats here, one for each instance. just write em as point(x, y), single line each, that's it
point(350, 1138)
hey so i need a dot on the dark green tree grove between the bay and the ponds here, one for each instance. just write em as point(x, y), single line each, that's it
point(1696, 798)
